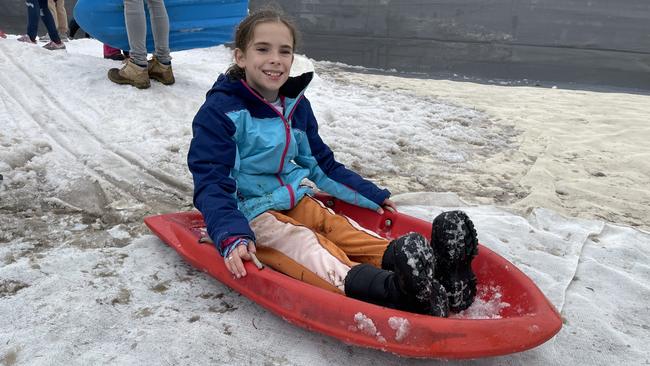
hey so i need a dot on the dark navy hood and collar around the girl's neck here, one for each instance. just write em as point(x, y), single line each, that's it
point(292, 88)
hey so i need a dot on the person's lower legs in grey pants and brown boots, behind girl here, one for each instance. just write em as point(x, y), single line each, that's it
point(137, 71)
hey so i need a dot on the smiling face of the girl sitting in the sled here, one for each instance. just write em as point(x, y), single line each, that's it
point(267, 59)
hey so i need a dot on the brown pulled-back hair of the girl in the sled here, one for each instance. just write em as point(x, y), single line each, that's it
point(246, 28)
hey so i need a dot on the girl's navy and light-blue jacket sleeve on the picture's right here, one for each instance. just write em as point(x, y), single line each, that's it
point(332, 176)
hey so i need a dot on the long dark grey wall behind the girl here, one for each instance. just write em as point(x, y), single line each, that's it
point(586, 41)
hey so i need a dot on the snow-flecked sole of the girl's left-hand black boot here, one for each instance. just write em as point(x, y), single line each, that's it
point(411, 258)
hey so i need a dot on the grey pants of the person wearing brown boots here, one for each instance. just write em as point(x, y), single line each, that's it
point(136, 27)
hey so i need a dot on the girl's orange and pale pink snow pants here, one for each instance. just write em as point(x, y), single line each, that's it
point(313, 244)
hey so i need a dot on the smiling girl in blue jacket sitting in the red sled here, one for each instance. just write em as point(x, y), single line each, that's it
point(256, 140)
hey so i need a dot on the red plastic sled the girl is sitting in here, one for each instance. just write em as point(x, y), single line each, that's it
point(529, 321)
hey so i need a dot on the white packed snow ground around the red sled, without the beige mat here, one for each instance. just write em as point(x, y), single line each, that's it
point(82, 281)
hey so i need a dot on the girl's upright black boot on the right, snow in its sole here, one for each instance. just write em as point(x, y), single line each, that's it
point(455, 245)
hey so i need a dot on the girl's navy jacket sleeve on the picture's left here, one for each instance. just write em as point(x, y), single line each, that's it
point(211, 158)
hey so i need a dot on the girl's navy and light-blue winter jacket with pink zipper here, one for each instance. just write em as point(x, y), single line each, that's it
point(247, 158)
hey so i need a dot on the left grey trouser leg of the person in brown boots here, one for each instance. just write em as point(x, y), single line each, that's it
point(136, 28)
